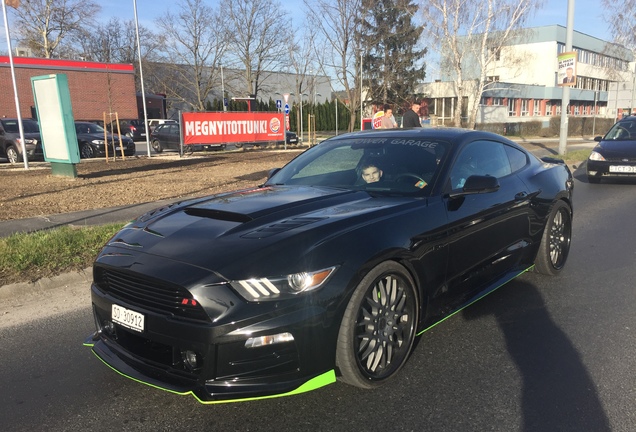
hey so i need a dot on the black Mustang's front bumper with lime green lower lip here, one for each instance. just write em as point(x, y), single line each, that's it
point(226, 369)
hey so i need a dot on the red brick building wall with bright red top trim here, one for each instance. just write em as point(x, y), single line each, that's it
point(95, 88)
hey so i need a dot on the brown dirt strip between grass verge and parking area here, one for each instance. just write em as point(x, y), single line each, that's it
point(139, 179)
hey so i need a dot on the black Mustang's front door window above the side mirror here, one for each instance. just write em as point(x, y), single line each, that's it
point(480, 158)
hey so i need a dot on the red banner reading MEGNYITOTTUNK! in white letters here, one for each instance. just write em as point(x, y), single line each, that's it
point(232, 127)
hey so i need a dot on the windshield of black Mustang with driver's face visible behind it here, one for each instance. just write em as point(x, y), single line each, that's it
point(384, 164)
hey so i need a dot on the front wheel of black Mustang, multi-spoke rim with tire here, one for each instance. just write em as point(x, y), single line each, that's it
point(378, 327)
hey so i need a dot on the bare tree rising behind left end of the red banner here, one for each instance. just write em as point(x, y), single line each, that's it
point(192, 49)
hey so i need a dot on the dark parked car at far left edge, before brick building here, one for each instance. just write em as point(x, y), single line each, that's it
point(10, 145)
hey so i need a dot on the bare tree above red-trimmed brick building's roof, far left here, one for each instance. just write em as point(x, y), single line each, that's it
point(42, 25)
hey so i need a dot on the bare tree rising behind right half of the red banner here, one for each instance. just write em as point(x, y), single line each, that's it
point(254, 40)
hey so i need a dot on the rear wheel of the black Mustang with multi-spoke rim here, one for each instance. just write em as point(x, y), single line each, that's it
point(555, 242)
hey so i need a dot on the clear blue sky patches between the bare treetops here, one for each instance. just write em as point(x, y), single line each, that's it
point(587, 14)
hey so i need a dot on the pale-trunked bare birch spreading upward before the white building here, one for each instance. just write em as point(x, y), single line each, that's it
point(469, 35)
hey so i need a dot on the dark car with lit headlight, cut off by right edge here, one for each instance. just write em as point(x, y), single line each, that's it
point(615, 154)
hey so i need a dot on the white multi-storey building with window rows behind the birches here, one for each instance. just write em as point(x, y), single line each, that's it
point(524, 80)
